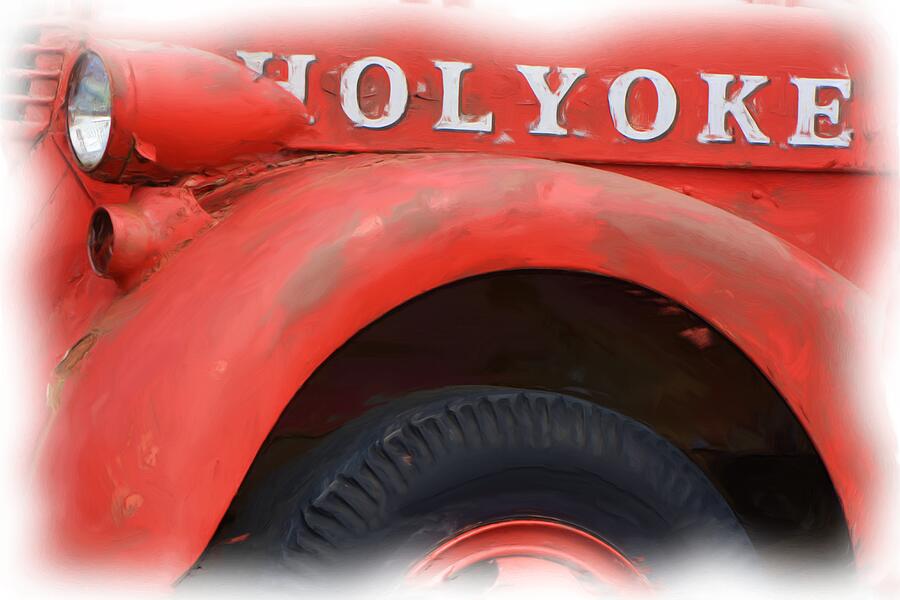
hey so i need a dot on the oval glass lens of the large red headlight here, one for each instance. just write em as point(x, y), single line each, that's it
point(90, 110)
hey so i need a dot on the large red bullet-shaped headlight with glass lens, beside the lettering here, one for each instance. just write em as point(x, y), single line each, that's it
point(224, 116)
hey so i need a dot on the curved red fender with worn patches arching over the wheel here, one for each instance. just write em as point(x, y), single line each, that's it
point(167, 401)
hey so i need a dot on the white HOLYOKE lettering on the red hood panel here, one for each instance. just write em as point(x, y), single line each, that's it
point(727, 103)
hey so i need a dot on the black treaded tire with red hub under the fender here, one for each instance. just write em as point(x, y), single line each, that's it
point(481, 486)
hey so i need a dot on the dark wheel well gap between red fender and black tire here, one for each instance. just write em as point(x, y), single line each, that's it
point(604, 340)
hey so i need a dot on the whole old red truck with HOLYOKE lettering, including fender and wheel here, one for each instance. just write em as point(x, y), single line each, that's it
point(414, 292)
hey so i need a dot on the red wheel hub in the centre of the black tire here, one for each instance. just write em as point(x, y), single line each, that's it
point(530, 552)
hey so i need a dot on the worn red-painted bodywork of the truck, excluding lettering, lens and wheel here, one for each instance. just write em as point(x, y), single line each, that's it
point(163, 408)
